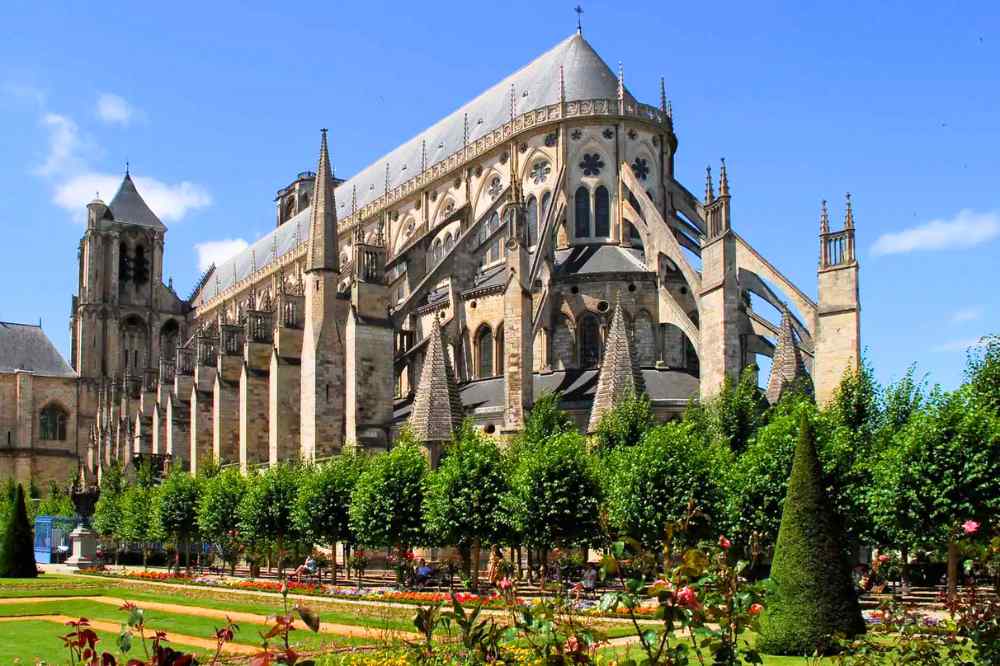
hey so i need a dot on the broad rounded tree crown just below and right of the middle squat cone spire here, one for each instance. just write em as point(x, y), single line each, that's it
point(654, 482)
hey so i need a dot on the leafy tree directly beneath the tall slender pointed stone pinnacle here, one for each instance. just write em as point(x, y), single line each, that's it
point(322, 507)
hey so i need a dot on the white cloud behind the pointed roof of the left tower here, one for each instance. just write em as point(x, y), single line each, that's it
point(170, 202)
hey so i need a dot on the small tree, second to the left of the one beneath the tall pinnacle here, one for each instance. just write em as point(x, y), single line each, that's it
point(218, 513)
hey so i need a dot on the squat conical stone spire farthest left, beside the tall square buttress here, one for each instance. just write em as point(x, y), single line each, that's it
point(437, 409)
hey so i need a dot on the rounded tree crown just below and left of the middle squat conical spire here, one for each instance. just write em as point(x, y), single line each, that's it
point(555, 494)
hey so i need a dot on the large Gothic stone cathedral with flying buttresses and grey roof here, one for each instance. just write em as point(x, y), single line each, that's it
point(534, 240)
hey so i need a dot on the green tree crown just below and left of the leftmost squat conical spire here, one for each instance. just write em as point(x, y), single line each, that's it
point(387, 500)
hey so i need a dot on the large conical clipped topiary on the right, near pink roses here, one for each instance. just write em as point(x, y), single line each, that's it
point(812, 596)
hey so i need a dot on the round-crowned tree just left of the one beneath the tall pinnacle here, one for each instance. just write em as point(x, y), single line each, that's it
point(267, 508)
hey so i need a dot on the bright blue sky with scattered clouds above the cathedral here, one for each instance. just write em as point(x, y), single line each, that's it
point(217, 106)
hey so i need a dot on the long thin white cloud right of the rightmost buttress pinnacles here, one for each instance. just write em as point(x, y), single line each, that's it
point(967, 229)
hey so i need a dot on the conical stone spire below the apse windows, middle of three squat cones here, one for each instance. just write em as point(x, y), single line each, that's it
point(619, 371)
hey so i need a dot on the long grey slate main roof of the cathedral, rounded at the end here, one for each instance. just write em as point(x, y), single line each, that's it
point(585, 74)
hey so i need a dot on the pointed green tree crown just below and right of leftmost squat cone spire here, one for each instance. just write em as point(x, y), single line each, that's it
point(462, 503)
